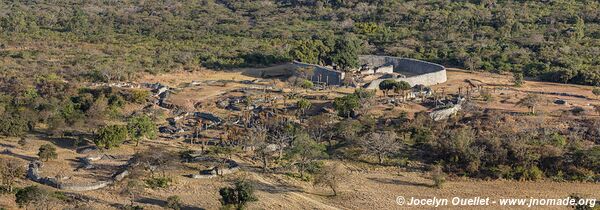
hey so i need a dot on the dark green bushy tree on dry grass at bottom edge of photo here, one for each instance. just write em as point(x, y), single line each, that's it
point(238, 196)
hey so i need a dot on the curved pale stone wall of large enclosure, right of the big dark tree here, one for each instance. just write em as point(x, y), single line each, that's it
point(420, 72)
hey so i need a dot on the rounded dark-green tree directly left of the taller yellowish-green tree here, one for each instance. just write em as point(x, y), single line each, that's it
point(110, 136)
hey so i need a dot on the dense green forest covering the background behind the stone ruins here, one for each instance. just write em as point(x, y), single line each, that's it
point(554, 40)
